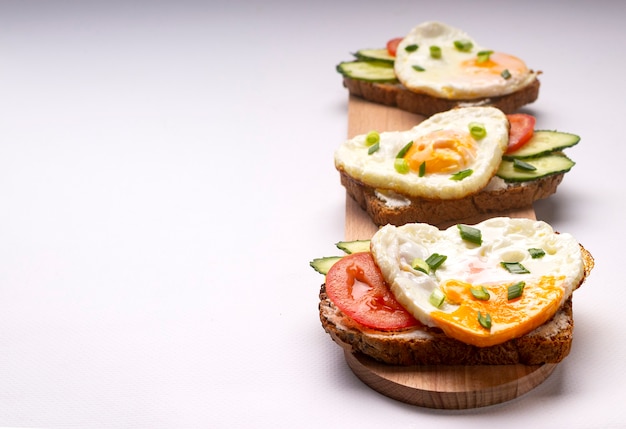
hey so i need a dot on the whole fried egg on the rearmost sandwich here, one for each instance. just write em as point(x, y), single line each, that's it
point(445, 62)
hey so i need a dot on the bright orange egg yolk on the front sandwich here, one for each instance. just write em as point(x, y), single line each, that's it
point(510, 319)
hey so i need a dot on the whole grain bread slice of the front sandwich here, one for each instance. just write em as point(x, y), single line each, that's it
point(549, 343)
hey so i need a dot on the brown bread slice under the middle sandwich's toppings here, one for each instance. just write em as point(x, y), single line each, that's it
point(440, 212)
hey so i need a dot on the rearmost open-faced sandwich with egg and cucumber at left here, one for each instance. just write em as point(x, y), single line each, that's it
point(435, 68)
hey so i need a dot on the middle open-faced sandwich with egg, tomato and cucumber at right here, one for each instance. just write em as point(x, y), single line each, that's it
point(455, 165)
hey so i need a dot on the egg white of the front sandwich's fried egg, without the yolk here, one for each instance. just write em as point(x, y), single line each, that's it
point(504, 239)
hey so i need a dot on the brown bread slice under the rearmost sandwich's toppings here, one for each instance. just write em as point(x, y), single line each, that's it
point(396, 95)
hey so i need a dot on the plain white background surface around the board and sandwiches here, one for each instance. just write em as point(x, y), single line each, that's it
point(166, 176)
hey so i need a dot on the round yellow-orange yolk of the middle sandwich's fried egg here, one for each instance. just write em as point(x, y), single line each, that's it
point(442, 151)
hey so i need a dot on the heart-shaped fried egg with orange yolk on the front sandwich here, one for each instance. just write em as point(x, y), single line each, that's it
point(487, 290)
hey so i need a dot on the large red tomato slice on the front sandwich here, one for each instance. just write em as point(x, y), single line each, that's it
point(356, 285)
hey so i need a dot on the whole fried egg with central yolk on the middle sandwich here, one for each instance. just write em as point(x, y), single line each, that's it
point(441, 157)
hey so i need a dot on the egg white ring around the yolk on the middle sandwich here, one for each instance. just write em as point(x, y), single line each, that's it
point(377, 169)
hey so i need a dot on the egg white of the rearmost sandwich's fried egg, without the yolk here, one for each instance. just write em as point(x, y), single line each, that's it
point(444, 77)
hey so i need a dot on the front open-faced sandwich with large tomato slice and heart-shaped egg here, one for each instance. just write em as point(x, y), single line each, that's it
point(494, 293)
